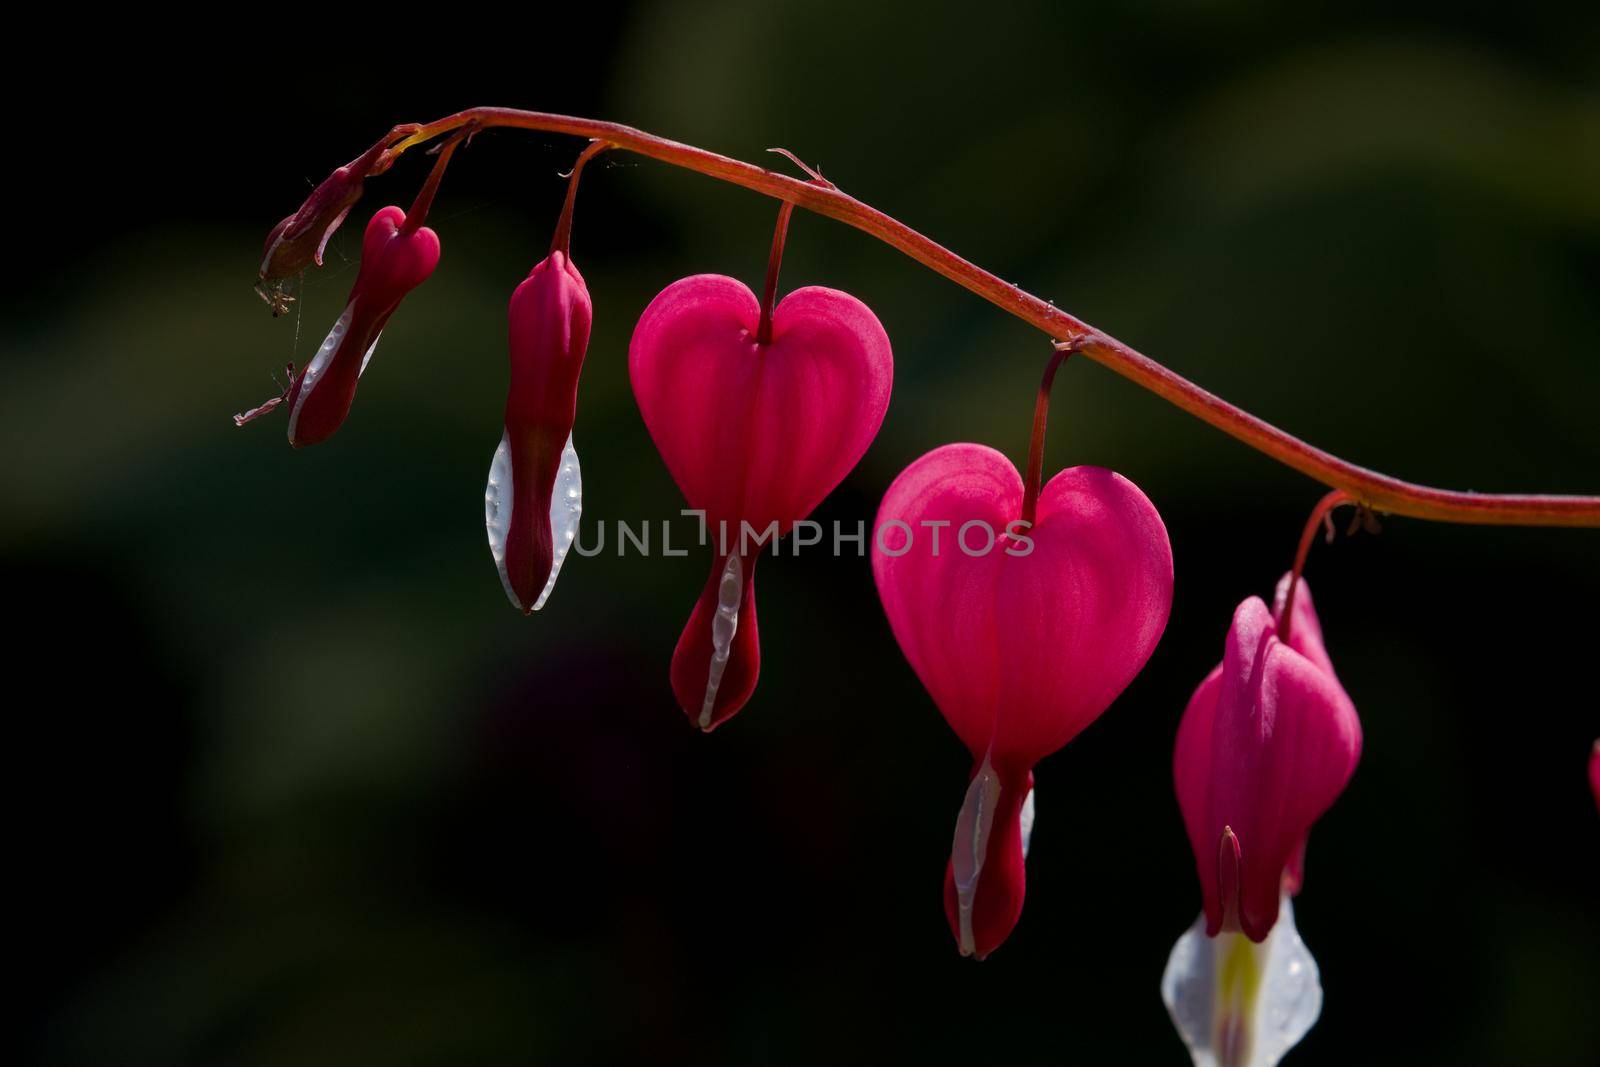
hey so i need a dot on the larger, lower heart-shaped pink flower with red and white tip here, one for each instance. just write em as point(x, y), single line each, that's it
point(1023, 634)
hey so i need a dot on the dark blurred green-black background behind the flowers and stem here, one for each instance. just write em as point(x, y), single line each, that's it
point(294, 785)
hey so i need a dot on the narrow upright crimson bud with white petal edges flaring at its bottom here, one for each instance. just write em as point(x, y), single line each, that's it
point(535, 490)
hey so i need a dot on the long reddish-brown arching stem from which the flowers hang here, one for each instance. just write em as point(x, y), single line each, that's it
point(1377, 490)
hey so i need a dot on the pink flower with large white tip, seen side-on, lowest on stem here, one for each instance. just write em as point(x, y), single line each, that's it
point(1266, 746)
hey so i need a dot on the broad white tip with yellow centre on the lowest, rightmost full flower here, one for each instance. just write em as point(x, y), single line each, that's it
point(1238, 1004)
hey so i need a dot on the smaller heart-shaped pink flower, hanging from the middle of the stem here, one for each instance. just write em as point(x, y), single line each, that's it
point(758, 420)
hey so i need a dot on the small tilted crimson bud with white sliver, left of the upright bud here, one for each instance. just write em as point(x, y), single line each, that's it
point(394, 262)
